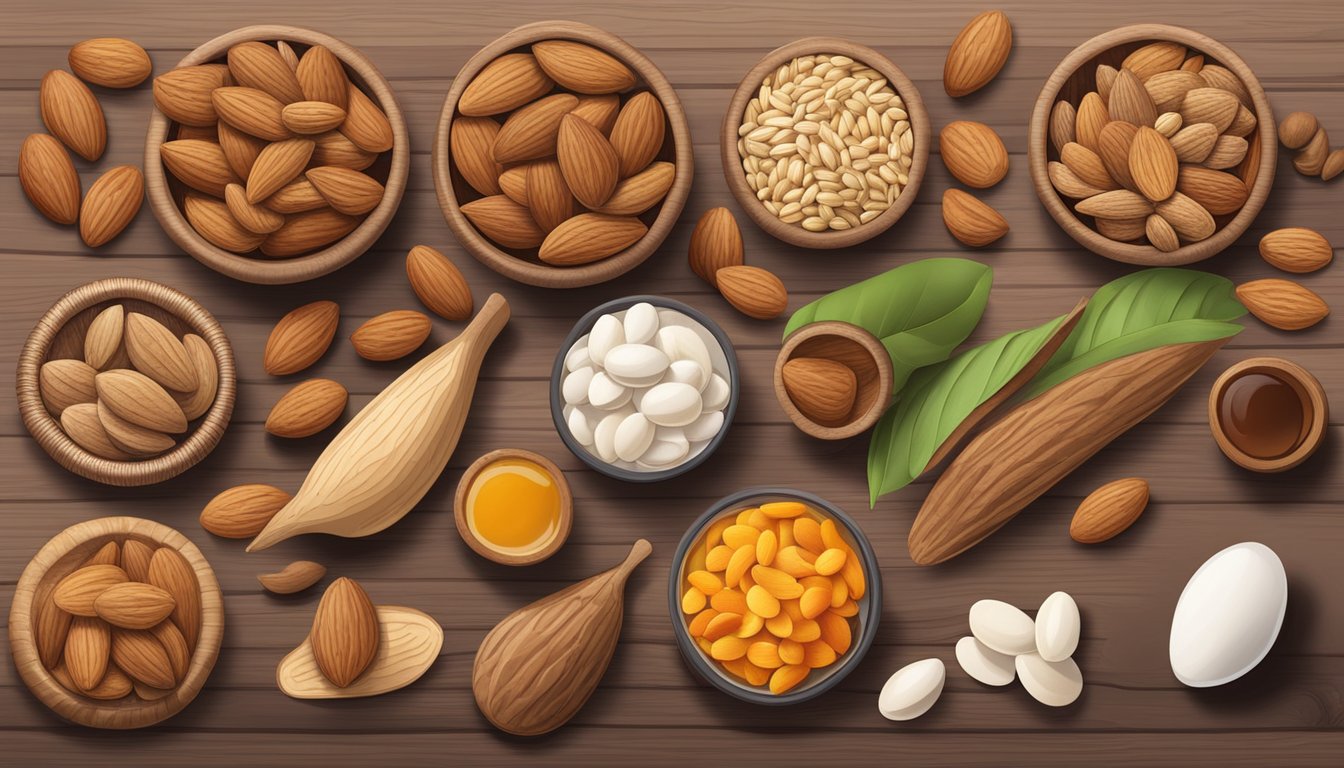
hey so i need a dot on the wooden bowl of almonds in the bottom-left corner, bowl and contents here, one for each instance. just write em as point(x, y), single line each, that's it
point(118, 623)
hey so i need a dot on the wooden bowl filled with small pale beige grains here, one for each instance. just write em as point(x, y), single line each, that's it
point(826, 143)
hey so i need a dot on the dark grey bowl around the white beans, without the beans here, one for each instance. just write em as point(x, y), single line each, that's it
point(584, 326)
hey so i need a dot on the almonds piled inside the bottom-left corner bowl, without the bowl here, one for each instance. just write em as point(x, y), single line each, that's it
point(124, 623)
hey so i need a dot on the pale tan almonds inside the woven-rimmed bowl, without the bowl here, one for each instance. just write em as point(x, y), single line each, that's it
point(138, 387)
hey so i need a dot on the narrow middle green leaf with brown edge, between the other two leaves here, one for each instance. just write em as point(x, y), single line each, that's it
point(939, 399)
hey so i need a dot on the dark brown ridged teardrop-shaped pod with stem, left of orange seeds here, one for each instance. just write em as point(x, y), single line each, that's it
point(537, 668)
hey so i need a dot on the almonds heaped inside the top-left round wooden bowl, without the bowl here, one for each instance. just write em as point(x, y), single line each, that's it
point(274, 147)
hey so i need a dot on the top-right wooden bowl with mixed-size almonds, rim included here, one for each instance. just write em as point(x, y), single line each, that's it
point(1152, 145)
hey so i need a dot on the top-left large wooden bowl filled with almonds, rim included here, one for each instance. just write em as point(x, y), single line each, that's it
point(276, 154)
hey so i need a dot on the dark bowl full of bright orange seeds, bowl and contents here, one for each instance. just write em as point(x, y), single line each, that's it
point(776, 597)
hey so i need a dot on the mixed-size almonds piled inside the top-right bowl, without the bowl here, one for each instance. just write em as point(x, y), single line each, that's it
point(1154, 153)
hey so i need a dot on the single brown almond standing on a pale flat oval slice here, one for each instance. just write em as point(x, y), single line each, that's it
point(345, 637)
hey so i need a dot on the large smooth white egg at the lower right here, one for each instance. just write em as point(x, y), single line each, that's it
point(1229, 615)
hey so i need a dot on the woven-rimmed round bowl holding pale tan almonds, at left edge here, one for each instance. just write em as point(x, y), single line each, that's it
point(127, 383)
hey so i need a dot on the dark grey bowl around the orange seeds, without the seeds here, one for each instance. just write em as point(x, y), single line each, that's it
point(870, 606)
